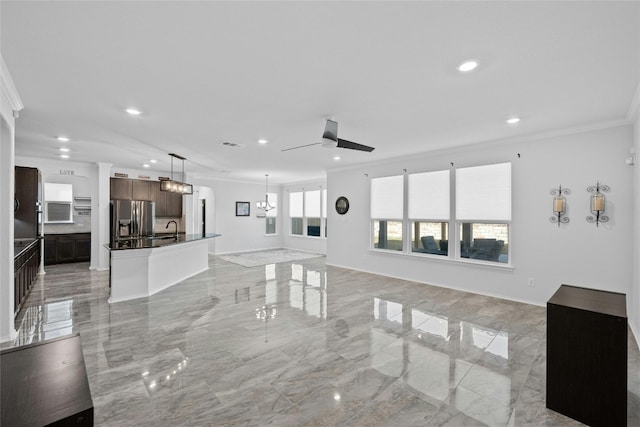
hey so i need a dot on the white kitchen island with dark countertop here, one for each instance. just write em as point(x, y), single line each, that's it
point(142, 267)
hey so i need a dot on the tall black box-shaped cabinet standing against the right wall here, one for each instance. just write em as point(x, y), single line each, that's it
point(587, 355)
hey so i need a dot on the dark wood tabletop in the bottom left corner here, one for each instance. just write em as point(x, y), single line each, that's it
point(46, 384)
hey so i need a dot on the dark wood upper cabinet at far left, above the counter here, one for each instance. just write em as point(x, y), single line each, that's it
point(27, 203)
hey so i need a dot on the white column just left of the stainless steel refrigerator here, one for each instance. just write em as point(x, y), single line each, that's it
point(100, 199)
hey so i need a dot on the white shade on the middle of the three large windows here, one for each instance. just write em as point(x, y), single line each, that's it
point(429, 195)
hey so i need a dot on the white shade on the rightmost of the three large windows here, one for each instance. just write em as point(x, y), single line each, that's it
point(484, 193)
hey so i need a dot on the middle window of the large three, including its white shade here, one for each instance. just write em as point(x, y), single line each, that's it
point(429, 206)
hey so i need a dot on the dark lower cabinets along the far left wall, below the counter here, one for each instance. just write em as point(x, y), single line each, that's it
point(26, 265)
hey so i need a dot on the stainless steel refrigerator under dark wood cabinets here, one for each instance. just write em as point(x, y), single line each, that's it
point(132, 219)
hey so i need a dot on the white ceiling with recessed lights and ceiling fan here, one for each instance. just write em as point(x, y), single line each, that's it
point(208, 72)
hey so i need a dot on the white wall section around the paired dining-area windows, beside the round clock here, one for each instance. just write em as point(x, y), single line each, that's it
point(316, 245)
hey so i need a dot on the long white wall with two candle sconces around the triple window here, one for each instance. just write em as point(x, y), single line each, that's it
point(577, 253)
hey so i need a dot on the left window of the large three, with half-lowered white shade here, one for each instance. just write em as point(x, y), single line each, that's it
point(387, 205)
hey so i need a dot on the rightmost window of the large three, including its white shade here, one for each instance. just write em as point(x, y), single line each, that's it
point(483, 211)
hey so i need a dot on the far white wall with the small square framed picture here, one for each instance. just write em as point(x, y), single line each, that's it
point(240, 233)
